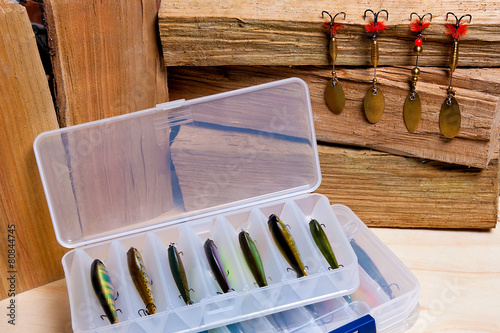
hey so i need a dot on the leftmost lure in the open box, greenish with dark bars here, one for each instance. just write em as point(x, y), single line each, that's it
point(103, 288)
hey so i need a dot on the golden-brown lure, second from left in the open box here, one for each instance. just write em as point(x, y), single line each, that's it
point(141, 279)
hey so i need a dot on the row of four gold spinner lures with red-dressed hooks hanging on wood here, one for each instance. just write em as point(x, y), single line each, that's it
point(373, 102)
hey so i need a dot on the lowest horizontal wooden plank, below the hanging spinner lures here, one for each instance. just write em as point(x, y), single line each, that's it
point(394, 191)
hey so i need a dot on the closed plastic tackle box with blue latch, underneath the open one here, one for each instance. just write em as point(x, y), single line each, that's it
point(386, 302)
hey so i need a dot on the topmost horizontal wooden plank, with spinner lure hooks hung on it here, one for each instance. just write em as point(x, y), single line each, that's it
point(208, 33)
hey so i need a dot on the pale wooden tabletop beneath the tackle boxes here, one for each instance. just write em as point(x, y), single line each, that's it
point(459, 274)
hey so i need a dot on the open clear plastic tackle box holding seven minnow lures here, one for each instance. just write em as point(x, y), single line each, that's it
point(184, 172)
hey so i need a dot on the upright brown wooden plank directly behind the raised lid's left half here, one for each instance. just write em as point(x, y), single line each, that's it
point(105, 57)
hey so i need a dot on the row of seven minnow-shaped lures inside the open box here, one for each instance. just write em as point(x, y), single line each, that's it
point(101, 281)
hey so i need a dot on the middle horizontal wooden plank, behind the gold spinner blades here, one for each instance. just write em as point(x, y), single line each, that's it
point(475, 88)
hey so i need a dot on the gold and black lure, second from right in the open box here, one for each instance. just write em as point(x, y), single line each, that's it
point(286, 244)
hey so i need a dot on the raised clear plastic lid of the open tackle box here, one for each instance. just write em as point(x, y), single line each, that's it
point(180, 160)
